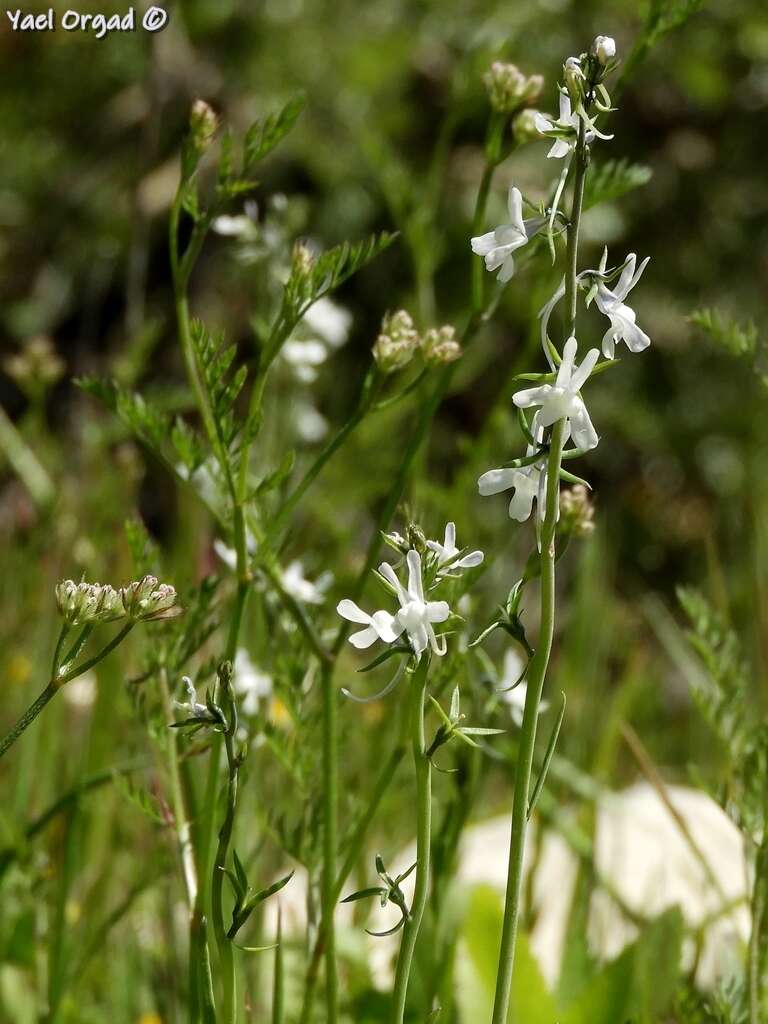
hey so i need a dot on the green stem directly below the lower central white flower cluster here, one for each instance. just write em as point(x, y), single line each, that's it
point(423, 773)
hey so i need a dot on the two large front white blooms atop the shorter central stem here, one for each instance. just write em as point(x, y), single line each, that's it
point(416, 617)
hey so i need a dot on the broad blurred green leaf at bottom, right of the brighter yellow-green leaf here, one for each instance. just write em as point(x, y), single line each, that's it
point(638, 986)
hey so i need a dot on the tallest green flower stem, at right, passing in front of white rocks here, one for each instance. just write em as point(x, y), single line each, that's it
point(540, 662)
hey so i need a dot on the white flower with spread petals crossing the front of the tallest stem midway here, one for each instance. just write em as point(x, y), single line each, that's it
point(562, 400)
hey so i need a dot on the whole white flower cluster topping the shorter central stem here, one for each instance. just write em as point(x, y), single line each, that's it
point(417, 616)
